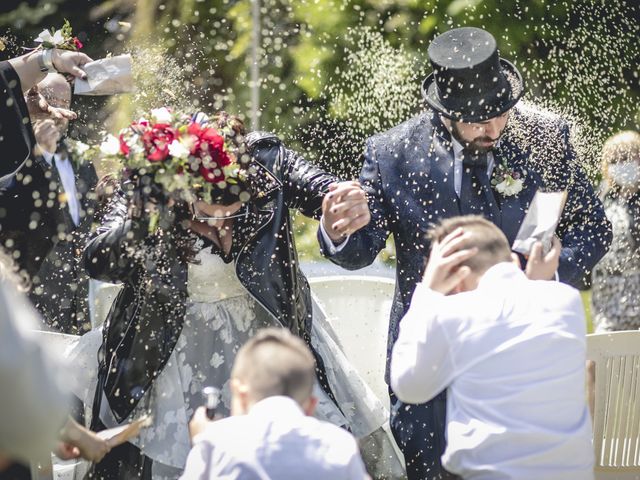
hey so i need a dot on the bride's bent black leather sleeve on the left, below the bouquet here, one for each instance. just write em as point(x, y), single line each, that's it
point(115, 252)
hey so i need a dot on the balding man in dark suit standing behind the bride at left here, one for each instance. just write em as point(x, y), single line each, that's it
point(61, 286)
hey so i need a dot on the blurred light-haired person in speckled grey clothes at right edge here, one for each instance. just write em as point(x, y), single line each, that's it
point(616, 279)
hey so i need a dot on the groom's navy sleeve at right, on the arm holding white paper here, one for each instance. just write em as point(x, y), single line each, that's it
point(584, 230)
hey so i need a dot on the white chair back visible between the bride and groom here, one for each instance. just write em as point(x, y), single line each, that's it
point(357, 308)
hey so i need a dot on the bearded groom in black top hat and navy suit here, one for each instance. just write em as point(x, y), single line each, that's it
point(441, 164)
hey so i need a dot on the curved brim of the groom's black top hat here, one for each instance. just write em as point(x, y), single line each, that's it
point(430, 94)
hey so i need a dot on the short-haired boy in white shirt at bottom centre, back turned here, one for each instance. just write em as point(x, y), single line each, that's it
point(271, 433)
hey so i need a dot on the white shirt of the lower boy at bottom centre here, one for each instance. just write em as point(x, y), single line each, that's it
point(275, 440)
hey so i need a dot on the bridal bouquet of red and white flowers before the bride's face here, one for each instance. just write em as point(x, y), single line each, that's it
point(186, 158)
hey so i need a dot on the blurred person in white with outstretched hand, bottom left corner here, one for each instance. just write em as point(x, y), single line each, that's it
point(34, 399)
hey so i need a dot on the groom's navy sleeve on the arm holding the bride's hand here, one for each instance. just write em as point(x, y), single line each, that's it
point(363, 246)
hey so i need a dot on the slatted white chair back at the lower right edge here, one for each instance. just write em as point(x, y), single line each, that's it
point(616, 416)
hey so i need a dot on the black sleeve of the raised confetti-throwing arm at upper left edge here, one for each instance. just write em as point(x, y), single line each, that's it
point(16, 135)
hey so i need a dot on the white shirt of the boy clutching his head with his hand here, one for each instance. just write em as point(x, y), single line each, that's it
point(512, 355)
